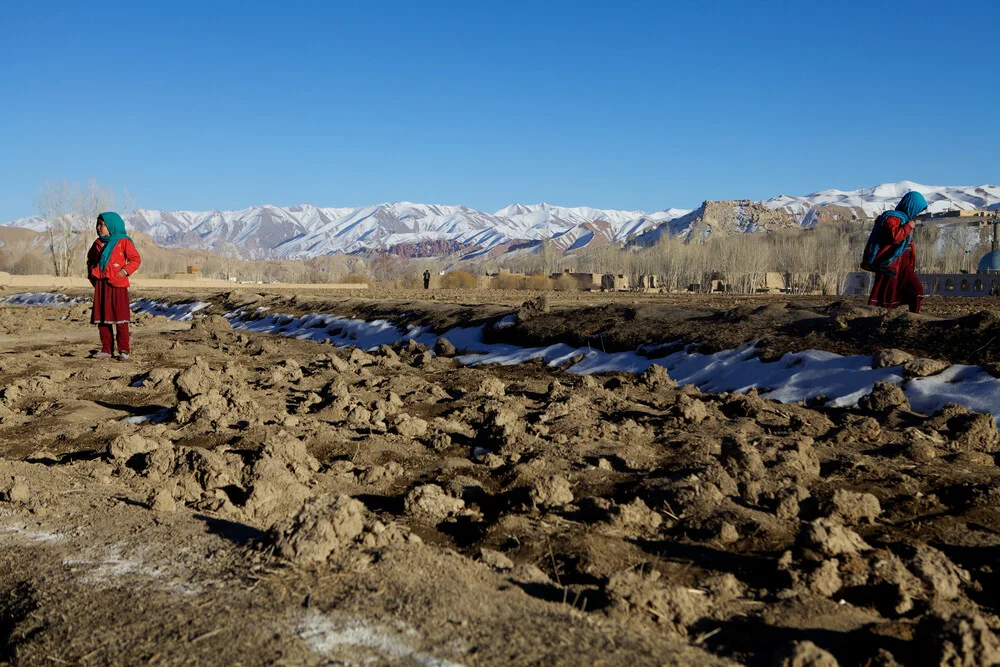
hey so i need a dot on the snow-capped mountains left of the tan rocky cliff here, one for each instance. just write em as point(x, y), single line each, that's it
point(308, 231)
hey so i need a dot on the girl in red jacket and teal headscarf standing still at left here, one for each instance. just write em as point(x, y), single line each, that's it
point(111, 260)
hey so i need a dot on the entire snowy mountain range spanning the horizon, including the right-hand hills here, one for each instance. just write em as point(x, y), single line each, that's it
point(303, 231)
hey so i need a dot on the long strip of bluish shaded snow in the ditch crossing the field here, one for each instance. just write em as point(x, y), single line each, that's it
point(795, 377)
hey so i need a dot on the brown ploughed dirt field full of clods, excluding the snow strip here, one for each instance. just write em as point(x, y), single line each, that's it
point(235, 498)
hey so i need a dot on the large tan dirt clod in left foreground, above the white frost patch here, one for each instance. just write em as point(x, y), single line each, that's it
point(324, 524)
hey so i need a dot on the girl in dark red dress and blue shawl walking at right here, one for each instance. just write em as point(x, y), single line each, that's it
point(895, 265)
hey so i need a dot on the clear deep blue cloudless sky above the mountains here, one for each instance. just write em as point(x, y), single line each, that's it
point(617, 104)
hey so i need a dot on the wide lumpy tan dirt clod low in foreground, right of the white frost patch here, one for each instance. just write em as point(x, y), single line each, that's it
point(675, 607)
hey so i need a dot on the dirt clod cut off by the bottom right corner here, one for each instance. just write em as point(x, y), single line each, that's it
point(965, 639)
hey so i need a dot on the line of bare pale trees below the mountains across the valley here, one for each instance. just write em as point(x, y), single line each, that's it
point(808, 260)
